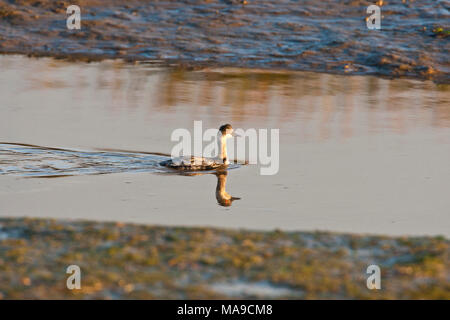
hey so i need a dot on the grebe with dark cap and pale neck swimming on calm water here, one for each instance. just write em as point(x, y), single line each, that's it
point(193, 163)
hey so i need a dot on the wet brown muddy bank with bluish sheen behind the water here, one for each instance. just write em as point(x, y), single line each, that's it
point(322, 36)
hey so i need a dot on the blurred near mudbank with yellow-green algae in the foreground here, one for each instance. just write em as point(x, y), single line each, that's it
point(146, 262)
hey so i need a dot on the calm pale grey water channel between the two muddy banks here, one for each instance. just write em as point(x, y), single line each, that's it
point(357, 154)
